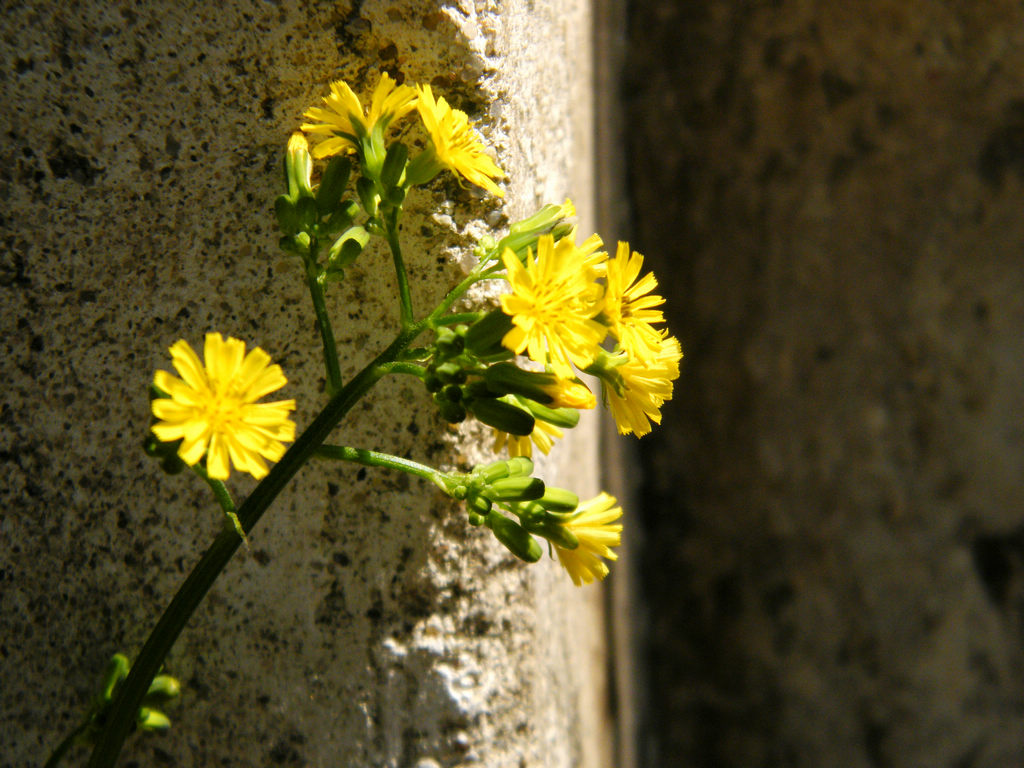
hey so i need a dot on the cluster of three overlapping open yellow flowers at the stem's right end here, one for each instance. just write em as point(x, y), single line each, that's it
point(569, 300)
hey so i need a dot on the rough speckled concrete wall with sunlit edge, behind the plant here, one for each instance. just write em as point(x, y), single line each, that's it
point(367, 625)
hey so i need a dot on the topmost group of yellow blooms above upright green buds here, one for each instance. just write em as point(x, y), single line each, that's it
point(454, 145)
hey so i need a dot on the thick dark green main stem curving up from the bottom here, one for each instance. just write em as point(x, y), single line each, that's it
point(191, 594)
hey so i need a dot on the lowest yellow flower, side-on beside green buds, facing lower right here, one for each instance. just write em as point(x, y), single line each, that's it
point(592, 526)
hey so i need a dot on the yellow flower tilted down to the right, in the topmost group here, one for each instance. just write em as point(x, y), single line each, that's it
point(456, 146)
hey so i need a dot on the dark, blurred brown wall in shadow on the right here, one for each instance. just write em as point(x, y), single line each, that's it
point(835, 559)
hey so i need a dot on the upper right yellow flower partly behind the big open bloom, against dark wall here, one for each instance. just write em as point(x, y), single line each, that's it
point(629, 305)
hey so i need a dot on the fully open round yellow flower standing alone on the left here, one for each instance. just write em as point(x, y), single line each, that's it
point(212, 409)
